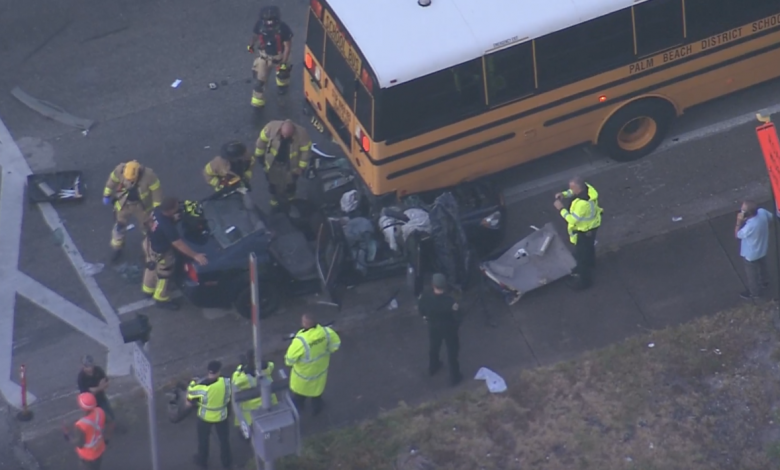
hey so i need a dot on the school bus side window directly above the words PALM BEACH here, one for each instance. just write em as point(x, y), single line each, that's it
point(659, 26)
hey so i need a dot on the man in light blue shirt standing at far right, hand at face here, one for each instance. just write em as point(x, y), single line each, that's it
point(752, 230)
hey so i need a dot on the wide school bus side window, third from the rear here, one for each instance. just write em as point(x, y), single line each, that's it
point(587, 49)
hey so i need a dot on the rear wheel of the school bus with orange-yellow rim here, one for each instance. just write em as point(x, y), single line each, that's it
point(636, 130)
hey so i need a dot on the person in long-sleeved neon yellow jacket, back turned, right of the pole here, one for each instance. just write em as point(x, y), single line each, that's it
point(309, 356)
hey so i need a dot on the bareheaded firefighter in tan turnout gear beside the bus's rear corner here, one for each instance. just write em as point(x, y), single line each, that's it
point(285, 149)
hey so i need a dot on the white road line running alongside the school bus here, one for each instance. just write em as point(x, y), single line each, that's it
point(558, 180)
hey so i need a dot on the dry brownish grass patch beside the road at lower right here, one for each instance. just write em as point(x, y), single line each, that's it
point(707, 396)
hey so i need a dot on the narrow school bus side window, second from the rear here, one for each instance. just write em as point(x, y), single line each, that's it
point(510, 73)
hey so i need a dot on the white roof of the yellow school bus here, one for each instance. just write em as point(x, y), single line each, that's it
point(402, 41)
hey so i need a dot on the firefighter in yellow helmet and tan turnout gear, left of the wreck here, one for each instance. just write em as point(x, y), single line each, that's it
point(134, 190)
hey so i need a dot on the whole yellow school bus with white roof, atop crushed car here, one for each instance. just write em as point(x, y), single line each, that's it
point(425, 97)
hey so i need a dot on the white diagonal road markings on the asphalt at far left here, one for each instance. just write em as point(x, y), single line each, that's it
point(12, 202)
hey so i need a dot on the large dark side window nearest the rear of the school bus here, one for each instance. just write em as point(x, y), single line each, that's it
point(430, 102)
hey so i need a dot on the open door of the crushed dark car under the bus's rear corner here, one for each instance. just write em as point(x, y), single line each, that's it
point(330, 256)
